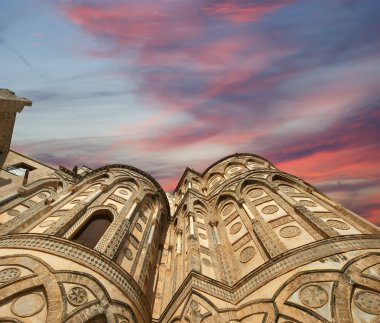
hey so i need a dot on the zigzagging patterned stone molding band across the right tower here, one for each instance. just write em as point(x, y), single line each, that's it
point(268, 271)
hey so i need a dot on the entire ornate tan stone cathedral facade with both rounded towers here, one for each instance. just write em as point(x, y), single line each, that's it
point(240, 242)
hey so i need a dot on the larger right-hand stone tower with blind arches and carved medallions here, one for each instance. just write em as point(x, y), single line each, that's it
point(249, 243)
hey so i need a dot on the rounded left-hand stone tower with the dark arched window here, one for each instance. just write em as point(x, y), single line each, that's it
point(82, 248)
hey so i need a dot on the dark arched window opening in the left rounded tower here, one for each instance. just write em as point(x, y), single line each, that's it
point(93, 230)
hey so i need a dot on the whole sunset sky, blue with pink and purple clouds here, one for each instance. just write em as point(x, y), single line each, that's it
point(165, 84)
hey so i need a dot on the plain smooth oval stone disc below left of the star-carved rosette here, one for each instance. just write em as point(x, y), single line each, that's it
point(28, 305)
